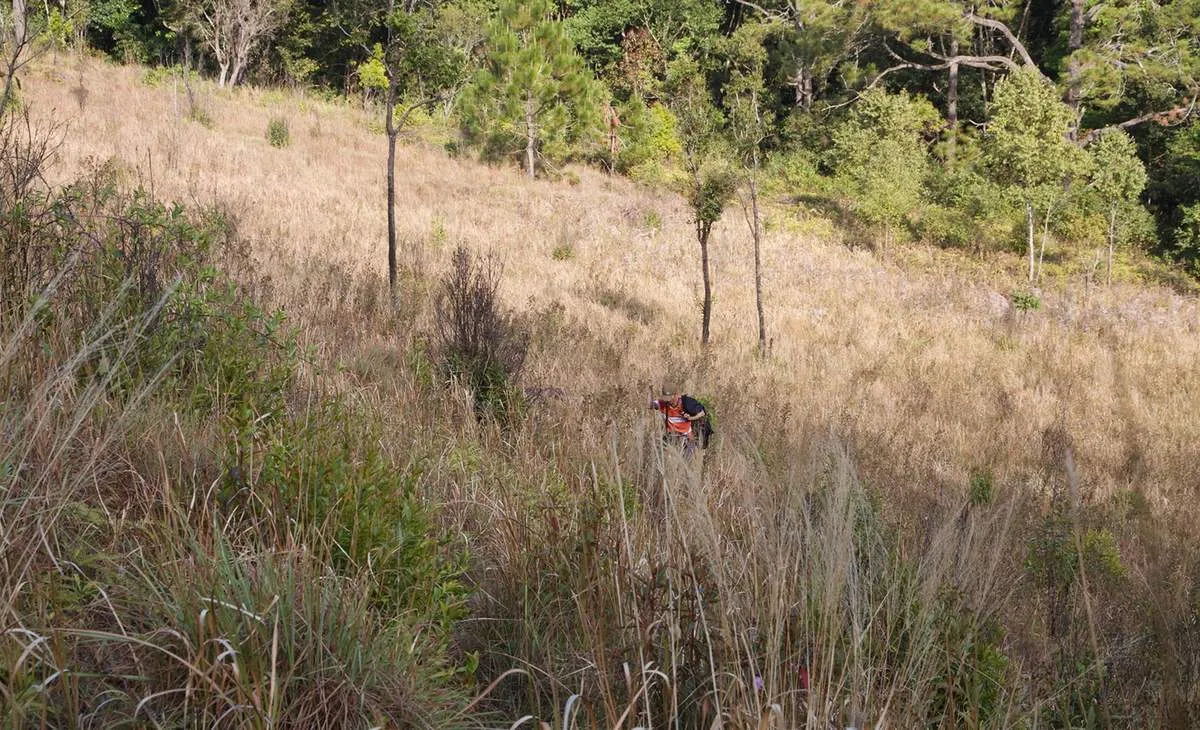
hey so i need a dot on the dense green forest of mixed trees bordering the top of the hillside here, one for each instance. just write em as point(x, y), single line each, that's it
point(1027, 124)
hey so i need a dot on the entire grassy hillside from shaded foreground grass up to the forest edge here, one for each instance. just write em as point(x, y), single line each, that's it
point(926, 507)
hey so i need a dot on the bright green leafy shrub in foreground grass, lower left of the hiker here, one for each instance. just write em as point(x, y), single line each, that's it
point(327, 474)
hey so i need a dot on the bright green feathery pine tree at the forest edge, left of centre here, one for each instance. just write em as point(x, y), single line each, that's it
point(533, 100)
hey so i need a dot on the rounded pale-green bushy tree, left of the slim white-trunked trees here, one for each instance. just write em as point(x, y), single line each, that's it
point(880, 157)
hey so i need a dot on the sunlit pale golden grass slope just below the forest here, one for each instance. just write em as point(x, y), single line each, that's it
point(926, 373)
